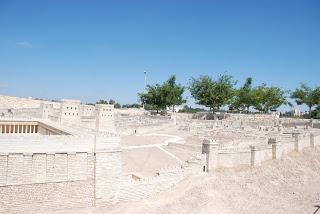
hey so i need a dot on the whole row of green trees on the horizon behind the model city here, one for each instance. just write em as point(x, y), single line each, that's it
point(221, 93)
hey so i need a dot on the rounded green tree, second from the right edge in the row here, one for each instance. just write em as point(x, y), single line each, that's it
point(268, 98)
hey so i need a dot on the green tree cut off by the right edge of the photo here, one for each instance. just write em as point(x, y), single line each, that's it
point(307, 95)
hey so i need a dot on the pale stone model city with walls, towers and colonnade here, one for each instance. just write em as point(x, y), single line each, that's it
point(60, 155)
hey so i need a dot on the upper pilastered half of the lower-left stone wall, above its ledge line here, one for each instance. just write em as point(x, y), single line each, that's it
point(30, 168)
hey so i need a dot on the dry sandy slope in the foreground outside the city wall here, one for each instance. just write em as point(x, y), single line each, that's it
point(291, 185)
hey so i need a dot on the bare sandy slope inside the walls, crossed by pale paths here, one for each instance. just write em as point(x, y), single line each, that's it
point(147, 161)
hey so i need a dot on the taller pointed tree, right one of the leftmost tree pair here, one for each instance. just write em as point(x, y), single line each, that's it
point(173, 93)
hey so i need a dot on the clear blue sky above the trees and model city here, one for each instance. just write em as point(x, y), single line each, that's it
point(99, 49)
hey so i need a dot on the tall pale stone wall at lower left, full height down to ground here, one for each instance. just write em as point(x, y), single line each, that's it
point(31, 181)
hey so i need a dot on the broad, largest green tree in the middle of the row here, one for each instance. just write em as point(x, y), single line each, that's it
point(212, 93)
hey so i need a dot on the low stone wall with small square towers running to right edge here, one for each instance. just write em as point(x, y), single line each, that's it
point(258, 153)
